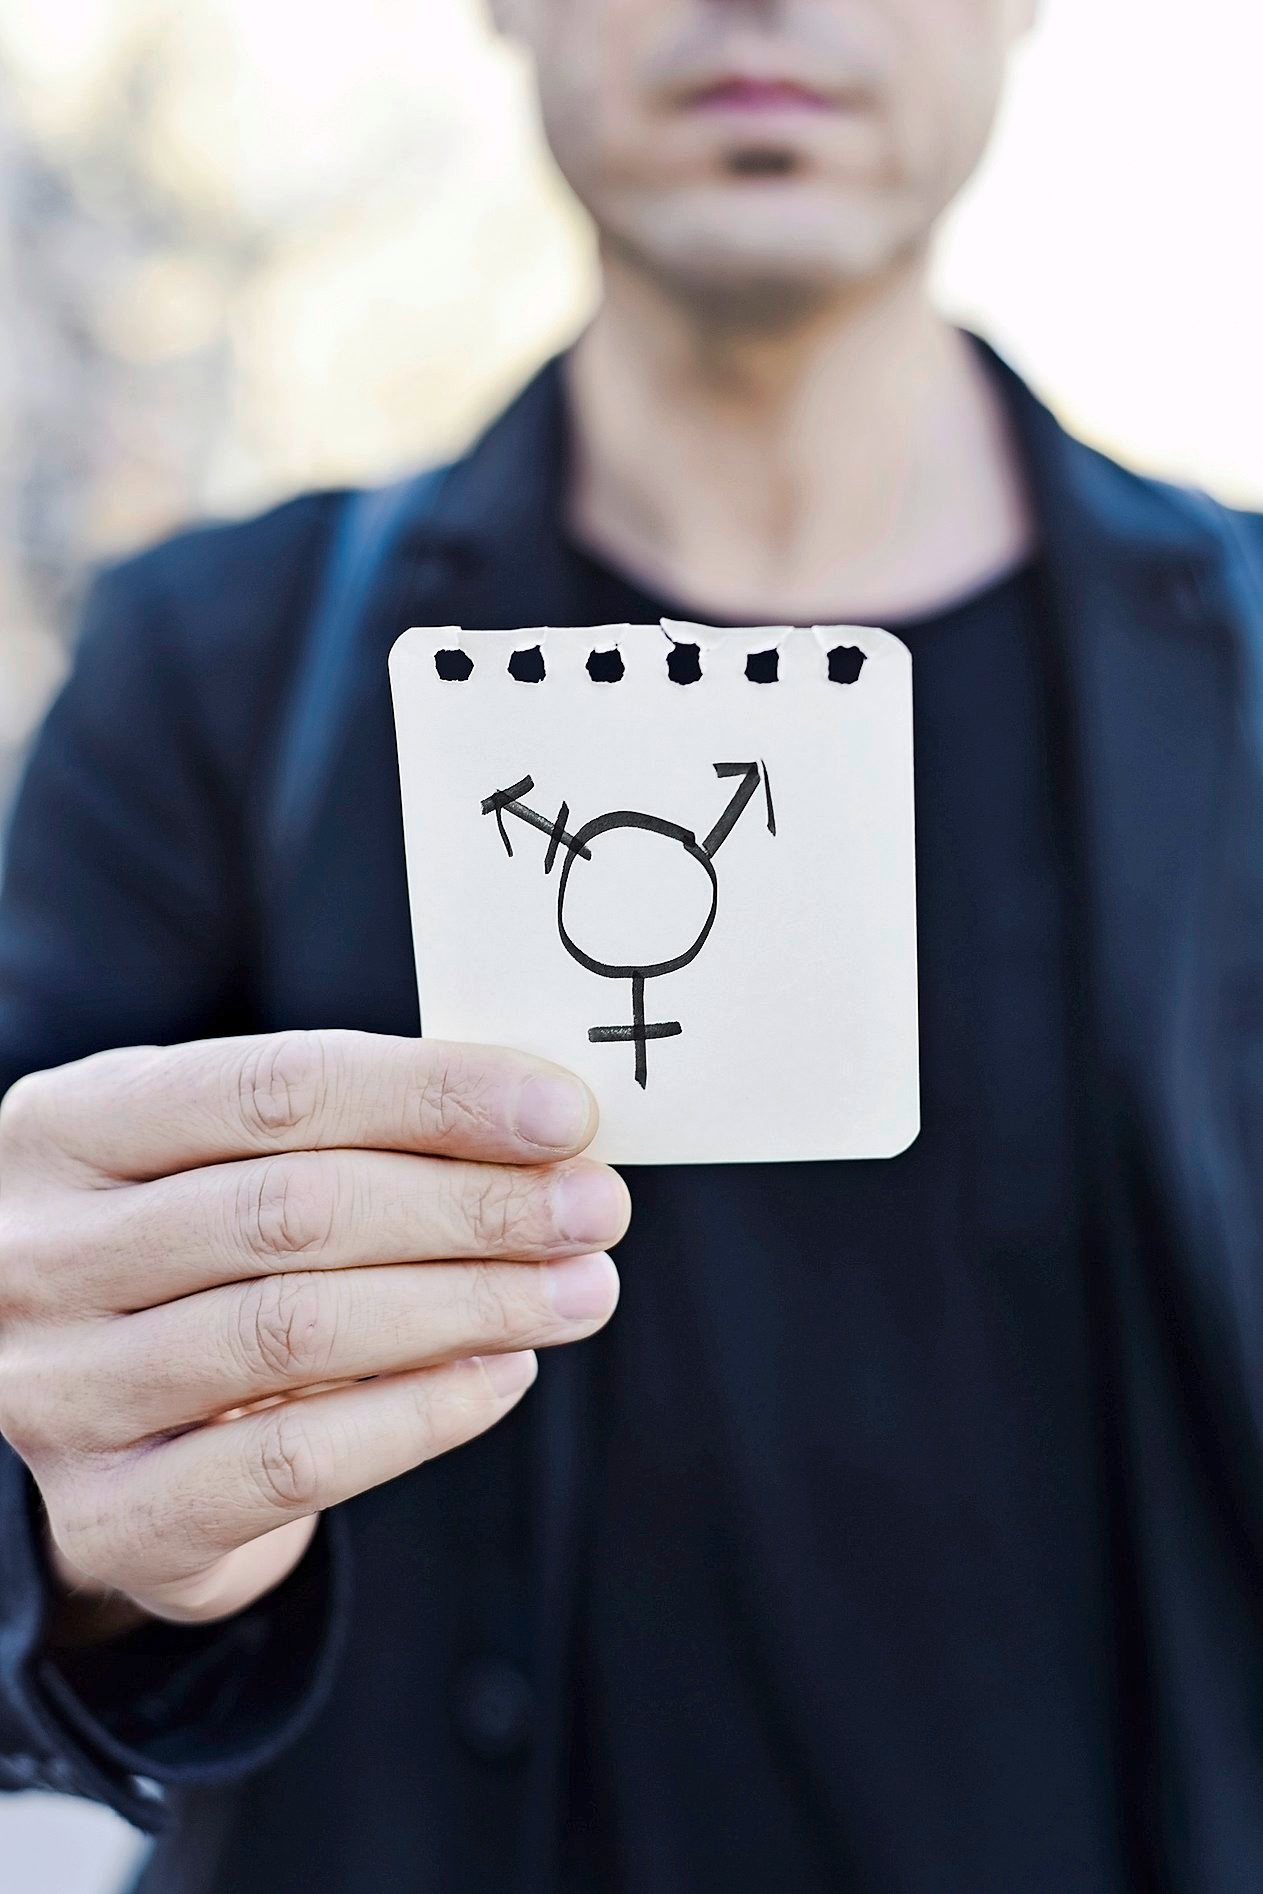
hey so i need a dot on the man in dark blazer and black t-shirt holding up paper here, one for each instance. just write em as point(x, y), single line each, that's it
point(906, 1529)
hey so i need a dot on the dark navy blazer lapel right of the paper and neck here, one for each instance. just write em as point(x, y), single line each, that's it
point(1145, 683)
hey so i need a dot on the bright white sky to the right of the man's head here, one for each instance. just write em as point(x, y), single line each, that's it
point(1116, 238)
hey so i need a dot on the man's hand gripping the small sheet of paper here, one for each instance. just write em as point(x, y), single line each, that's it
point(247, 1279)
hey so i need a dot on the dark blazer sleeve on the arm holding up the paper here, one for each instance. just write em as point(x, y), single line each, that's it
point(126, 920)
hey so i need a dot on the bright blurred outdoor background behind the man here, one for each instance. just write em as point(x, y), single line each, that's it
point(257, 245)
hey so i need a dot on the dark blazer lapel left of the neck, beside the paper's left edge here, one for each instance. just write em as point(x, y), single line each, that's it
point(461, 548)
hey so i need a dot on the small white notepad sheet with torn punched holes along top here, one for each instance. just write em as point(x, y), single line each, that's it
point(698, 895)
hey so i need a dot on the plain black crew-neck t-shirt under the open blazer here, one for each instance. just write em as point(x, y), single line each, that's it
point(845, 1586)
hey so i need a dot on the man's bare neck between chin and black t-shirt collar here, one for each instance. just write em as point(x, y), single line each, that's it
point(851, 463)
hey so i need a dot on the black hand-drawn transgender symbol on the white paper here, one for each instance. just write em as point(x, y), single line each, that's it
point(580, 849)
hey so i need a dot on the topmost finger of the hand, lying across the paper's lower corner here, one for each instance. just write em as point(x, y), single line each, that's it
point(152, 1111)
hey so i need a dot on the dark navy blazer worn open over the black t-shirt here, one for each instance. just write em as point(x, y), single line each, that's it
point(393, 1715)
